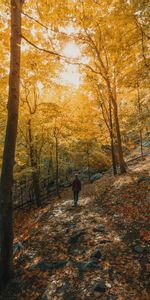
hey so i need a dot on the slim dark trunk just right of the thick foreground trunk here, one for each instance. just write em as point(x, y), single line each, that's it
point(35, 171)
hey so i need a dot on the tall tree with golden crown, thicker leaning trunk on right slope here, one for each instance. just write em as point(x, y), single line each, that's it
point(97, 38)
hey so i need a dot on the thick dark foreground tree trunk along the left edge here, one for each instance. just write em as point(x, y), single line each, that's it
point(6, 202)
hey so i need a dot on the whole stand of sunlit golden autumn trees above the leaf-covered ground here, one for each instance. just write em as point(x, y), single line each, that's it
point(74, 90)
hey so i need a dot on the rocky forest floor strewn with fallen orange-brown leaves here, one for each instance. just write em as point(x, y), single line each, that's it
point(98, 250)
